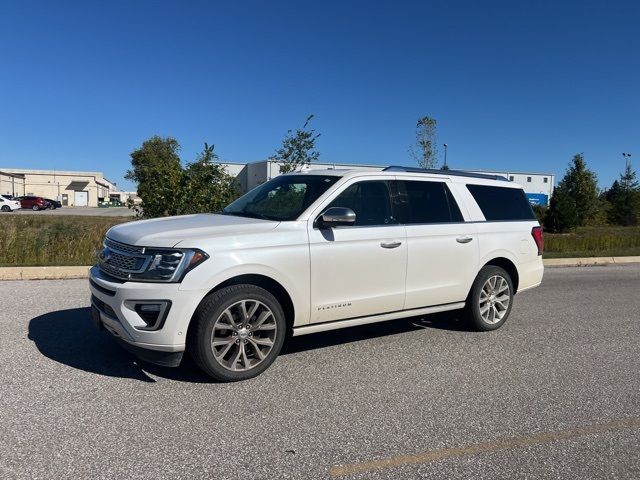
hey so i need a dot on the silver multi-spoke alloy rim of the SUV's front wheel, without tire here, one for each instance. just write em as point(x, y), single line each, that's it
point(243, 335)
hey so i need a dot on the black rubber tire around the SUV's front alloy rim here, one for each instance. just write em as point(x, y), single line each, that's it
point(207, 314)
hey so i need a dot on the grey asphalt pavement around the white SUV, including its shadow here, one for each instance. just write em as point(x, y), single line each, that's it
point(555, 393)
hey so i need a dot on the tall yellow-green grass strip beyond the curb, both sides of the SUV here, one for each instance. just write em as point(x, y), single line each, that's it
point(27, 240)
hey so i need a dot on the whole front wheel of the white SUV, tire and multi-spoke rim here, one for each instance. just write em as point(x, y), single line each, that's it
point(238, 332)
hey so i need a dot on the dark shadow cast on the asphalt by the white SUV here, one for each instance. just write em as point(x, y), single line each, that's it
point(69, 337)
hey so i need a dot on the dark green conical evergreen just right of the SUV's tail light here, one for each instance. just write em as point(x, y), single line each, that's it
point(575, 200)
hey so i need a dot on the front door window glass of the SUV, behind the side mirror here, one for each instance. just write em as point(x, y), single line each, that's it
point(370, 201)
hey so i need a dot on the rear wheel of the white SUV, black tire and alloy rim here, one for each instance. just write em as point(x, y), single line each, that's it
point(475, 317)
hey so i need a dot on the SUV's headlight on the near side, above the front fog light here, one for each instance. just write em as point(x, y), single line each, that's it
point(169, 265)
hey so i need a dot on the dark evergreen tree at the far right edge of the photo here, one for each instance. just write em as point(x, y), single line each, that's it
point(624, 199)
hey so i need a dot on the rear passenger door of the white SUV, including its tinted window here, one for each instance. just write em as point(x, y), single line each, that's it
point(442, 248)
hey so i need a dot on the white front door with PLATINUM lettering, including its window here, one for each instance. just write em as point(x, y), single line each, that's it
point(358, 270)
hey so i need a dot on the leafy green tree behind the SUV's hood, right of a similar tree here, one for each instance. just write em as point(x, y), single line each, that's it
point(206, 186)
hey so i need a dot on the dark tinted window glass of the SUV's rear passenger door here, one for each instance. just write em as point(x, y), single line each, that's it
point(426, 202)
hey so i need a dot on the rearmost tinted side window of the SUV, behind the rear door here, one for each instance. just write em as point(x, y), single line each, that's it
point(500, 203)
